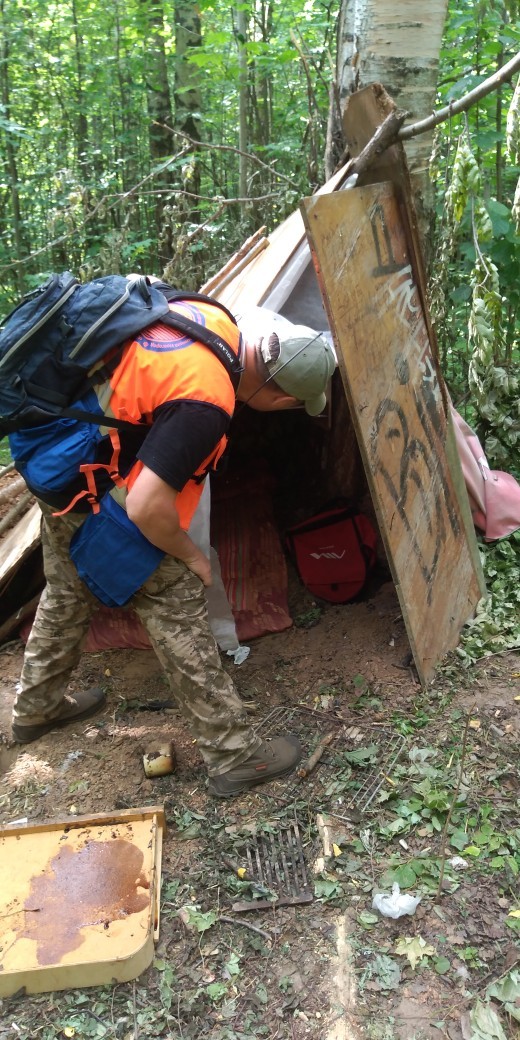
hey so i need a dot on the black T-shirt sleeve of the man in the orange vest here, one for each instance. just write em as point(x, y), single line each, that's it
point(184, 435)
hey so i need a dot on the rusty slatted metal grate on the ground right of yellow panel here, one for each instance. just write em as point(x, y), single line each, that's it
point(275, 863)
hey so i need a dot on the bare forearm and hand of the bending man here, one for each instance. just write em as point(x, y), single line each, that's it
point(151, 505)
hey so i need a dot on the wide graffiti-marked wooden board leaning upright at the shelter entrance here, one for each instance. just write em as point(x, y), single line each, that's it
point(365, 270)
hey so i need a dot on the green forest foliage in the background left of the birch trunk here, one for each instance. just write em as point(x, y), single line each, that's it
point(90, 181)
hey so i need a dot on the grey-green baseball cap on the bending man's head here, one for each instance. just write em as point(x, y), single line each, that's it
point(305, 365)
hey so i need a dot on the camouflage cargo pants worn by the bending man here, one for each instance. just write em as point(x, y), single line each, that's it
point(172, 606)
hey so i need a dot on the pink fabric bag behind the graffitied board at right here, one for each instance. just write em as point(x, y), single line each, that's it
point(495, 497)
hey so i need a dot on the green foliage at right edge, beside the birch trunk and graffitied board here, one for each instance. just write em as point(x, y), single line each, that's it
point(476, 285)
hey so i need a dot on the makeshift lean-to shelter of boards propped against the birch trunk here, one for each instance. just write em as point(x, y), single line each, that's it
point(350, 264)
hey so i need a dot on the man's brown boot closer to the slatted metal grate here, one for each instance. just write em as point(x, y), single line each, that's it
point(273, 759)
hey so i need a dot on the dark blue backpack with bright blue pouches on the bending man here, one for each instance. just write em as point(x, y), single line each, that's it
point(54, 351)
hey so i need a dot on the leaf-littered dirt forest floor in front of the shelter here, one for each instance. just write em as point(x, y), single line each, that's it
point(410, 781)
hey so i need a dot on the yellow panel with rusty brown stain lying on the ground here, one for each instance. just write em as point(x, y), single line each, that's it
point(80, 901)
